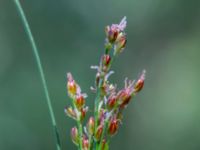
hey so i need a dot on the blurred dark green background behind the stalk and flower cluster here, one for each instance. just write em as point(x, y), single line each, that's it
point(163, 37)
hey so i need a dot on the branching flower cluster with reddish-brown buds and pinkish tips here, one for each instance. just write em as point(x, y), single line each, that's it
point(109, 103)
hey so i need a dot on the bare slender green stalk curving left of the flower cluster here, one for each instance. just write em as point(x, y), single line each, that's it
point(36, 54)
